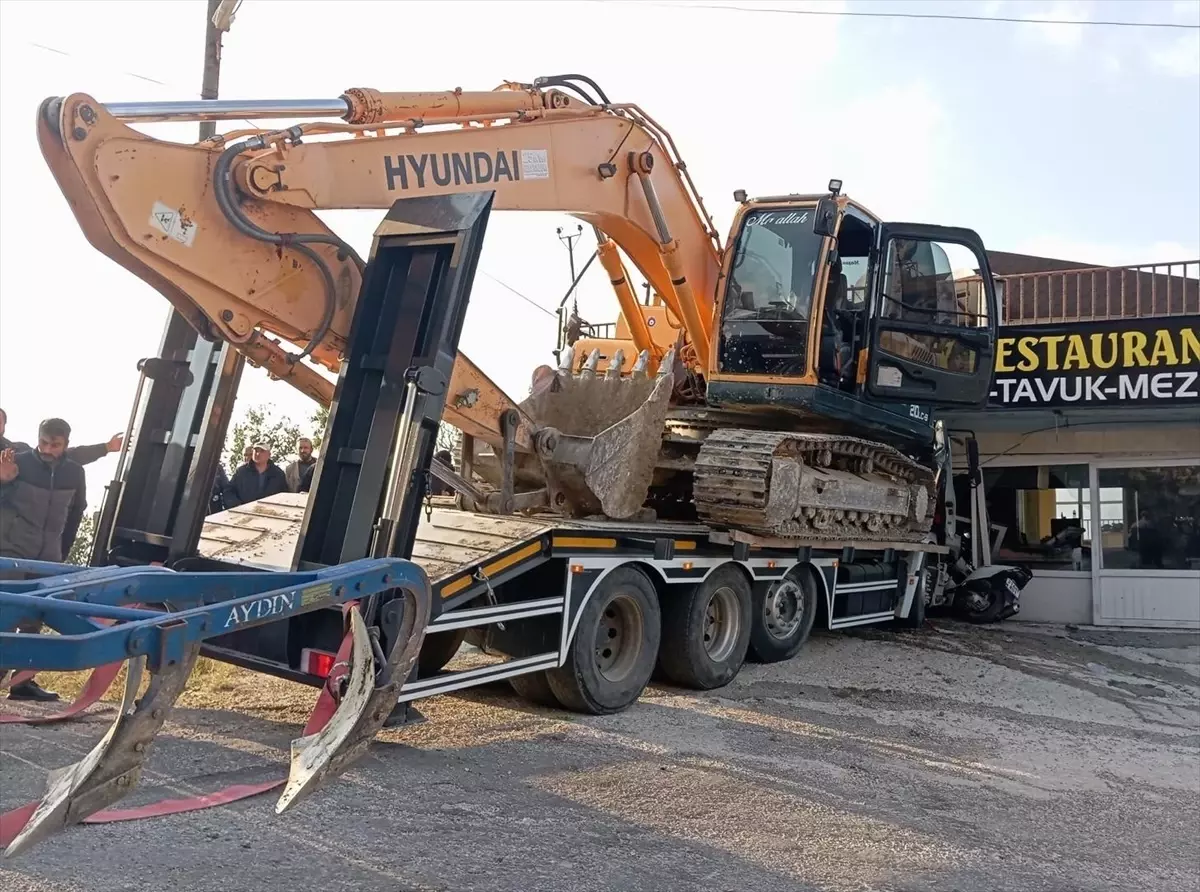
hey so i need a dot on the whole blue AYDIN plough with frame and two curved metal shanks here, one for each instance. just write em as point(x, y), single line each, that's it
point(157, 621)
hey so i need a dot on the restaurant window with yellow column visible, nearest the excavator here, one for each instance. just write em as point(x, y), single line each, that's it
point(1046, 514)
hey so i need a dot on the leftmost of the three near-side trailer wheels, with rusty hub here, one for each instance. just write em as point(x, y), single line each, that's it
point(616, 645)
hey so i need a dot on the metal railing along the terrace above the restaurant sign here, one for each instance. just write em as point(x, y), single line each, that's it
point(1101, 294)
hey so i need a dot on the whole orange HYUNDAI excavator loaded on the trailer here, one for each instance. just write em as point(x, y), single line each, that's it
point(752, 394)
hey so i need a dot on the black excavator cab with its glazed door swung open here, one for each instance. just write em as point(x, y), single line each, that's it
point(827, 312)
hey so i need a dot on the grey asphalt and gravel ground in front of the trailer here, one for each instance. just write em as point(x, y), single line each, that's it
point(979, 761)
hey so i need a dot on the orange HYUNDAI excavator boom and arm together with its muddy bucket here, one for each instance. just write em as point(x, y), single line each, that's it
point(227, 231)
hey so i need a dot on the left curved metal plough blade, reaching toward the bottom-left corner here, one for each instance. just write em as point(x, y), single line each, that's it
point(115, 765)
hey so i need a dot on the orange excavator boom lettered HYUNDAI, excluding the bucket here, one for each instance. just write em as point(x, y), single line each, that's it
point(226, 229)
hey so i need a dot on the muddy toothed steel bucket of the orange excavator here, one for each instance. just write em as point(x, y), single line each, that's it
point(599, 434)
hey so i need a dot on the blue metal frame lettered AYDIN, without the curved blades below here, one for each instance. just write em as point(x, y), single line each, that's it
point(191, 608)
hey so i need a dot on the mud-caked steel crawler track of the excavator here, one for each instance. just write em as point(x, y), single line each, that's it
point(812, 486)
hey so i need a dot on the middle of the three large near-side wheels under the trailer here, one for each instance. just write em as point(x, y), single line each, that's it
point(706, 631)
